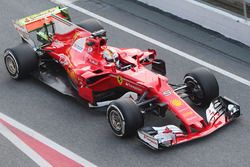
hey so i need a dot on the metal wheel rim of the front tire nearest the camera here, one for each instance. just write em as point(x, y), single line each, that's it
point(115, 120)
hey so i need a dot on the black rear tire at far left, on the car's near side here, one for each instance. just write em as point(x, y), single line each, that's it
point(20, 61)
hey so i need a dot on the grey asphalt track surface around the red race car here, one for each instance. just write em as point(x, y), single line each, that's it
point(86, 132)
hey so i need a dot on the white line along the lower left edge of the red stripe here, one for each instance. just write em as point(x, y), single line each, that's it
point(23, 147)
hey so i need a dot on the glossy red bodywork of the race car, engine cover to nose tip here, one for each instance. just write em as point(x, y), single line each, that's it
point(88, 62)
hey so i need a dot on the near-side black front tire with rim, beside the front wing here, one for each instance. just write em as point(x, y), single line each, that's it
point(124, 117)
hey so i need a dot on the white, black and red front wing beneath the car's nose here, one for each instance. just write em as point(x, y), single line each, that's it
point(221, 111)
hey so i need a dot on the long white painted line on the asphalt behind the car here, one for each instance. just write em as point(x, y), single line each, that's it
point(155, 42)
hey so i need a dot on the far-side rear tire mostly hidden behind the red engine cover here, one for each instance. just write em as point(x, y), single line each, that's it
point(91, 25)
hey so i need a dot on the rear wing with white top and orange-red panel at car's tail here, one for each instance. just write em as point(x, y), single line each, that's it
point(36, 22)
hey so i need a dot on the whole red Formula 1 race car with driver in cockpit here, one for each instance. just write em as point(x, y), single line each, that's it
point(76, 60)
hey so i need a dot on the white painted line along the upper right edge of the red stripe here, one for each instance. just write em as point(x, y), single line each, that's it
point(45, 140)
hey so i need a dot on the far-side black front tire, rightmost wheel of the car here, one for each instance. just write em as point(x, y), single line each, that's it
point(202, 86)
